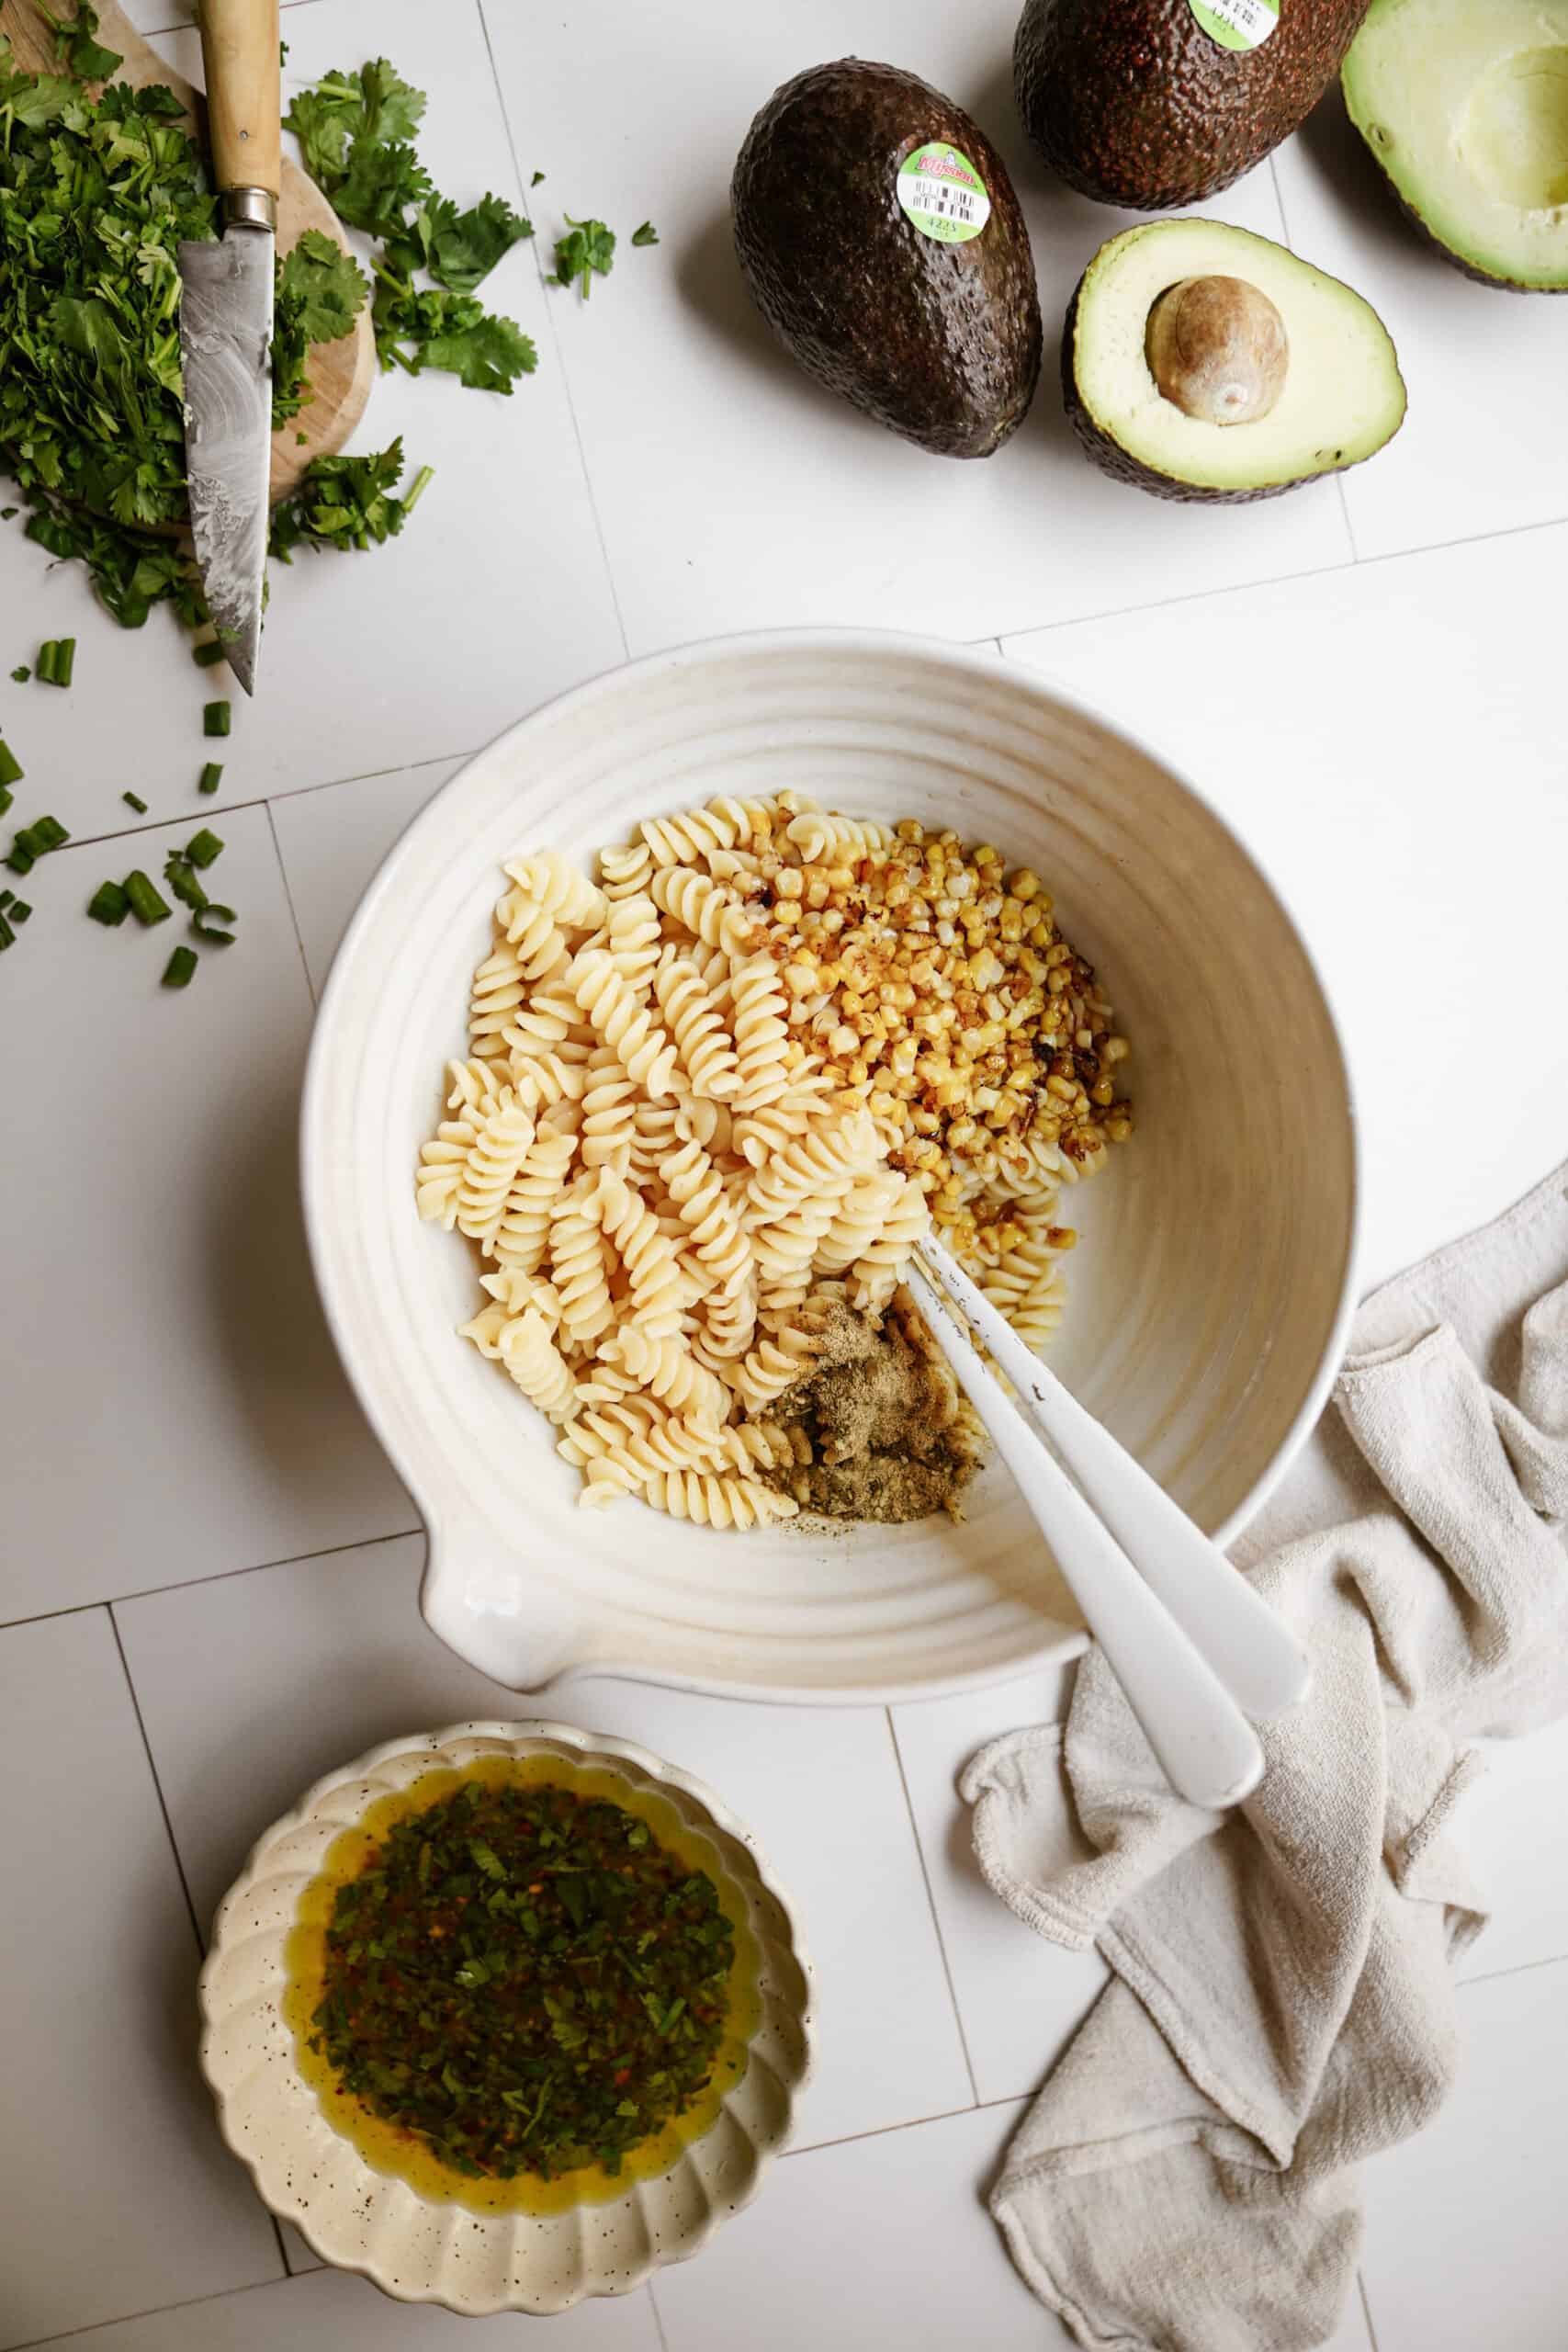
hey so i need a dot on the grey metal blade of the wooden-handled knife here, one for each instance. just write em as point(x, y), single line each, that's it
point(227, 354)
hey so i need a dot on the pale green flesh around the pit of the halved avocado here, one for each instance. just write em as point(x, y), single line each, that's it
point(1343, 396)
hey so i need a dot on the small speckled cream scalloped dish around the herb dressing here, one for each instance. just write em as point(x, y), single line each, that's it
point(445, 2252)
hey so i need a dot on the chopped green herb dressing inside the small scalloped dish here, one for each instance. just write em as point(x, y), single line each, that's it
point(525, 1982)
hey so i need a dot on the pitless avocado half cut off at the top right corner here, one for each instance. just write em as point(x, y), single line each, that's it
point(1466, 107)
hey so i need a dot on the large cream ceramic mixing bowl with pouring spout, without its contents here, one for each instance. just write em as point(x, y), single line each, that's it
point(1207, 1307)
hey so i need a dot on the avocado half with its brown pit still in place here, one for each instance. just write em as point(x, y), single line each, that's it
point(1207, 363)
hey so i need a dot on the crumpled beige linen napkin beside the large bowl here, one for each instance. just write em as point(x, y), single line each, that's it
point(1282, 1996)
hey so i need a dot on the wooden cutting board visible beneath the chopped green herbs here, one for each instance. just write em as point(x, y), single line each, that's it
point(340, 373)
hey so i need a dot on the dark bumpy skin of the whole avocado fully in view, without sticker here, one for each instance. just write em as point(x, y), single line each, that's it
point(937, 342)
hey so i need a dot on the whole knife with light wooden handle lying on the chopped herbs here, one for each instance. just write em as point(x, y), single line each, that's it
point(227, 326)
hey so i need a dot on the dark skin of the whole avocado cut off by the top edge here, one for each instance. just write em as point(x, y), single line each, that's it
point(1134, 105)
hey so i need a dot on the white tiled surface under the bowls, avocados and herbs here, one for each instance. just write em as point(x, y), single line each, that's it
point(208, 1575)
